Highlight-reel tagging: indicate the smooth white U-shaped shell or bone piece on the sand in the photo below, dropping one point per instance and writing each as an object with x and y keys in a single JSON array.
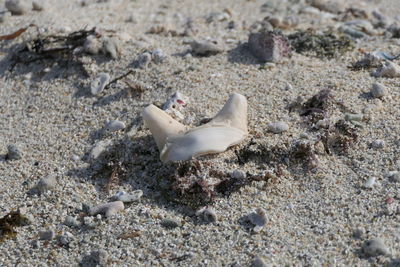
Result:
[{"x": 228, "y": 128}]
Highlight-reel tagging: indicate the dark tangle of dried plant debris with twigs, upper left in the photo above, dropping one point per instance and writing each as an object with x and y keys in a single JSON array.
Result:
[{"x": 60, "y": 48}]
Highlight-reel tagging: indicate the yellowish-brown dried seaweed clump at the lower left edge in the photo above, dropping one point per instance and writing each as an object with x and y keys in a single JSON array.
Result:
[{"x": 9, "y": 222}]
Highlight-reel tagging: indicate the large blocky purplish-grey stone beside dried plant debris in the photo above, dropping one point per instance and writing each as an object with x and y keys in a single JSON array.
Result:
[{"x": 269, "y": 46}]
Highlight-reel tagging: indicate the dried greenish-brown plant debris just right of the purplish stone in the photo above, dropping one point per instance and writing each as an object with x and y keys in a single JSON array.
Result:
[{"x": 325, "y": 45}]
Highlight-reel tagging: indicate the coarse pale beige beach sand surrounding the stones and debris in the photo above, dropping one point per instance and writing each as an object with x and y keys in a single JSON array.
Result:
[{"x": 312, "y": 214}]
